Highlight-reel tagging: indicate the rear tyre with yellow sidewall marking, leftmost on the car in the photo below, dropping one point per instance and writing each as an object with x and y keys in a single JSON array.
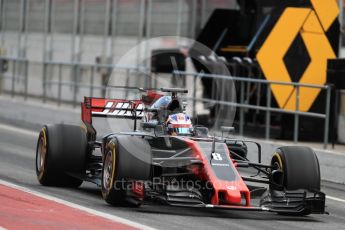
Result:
[{"x": 61, "y": 152}]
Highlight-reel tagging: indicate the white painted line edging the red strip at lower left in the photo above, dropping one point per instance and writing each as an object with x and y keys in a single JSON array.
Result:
[{"x": 79, "y": 207}]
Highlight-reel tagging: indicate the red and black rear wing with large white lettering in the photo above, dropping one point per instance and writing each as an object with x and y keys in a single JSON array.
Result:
[{"x": 117, "y": 108}]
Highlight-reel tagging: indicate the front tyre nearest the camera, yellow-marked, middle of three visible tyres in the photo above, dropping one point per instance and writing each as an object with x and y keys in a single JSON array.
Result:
[{"x": 126, "y": 165}]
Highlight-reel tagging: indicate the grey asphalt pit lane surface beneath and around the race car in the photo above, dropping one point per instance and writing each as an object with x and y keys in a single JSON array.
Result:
[{"x": 17, "y": 165}]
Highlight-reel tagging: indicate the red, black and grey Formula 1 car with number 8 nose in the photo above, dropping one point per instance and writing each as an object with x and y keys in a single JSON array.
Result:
[{"x": 169, "y": 160}]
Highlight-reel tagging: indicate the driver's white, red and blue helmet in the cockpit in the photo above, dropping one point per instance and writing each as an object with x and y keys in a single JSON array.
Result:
[{"x": 179, "y": 124}]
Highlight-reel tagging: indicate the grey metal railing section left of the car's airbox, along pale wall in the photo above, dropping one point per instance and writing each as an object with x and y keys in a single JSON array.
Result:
[{"x": 63, "y": 82}]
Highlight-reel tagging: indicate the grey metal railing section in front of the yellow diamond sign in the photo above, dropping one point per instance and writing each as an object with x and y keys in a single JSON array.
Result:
[{"x": 243, "y": 104}]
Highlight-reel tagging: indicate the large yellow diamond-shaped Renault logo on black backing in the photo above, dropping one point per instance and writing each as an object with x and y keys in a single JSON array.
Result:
[{"x": 311, "y": 25}]
